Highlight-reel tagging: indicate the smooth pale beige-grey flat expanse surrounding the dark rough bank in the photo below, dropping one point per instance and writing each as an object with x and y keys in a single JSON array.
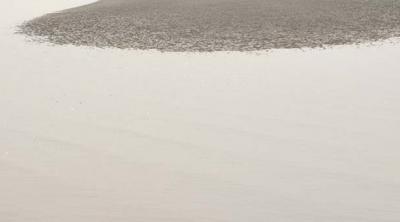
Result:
[{"x": 92, "y": 135}]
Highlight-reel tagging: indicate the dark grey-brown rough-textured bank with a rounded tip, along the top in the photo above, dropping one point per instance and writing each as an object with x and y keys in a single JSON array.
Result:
[{"x": 219, "y": 25}]
